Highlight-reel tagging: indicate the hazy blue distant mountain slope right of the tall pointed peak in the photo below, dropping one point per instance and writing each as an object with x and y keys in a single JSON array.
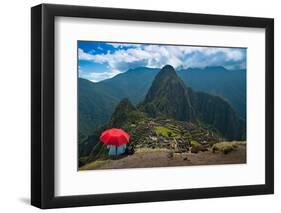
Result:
[{"x": 228, "y": 84}]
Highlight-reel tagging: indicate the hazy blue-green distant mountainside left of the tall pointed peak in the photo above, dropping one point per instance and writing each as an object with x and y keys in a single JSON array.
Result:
[{"x": 97, "y": 101}]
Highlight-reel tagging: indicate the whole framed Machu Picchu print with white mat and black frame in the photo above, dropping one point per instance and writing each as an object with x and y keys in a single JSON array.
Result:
[{"x": 139, "y": 106}]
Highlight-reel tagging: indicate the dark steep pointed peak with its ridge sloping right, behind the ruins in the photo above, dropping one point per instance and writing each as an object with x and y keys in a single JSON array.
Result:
[{"x": 168, "y": 95}]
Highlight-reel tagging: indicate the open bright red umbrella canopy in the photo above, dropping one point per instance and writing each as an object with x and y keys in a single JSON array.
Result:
[{"x": 114, "y": 137}]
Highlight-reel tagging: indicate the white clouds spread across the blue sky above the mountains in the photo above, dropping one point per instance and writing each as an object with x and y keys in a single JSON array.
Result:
[{"x": 156, "y": 56}]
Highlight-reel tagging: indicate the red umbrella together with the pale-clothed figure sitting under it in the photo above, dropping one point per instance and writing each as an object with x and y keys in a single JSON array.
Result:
[{"x": 116, "y": 140}]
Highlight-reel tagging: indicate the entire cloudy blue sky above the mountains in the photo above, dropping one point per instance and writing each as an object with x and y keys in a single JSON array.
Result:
[{"x": 98, "y": 61}]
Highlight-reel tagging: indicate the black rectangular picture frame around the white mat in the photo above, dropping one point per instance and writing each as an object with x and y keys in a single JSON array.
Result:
[{"x": 43, "y": 117}]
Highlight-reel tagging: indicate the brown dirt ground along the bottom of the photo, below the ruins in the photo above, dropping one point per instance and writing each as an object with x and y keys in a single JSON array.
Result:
[{"x": 162, "y": 159}]
